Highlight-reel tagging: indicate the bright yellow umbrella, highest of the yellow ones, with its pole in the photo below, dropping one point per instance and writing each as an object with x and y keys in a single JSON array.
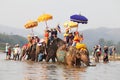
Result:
[{"x": 44, "y": 17}]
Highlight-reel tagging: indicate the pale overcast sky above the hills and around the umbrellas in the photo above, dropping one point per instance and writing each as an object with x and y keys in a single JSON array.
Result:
[{"x": 100, "y": 13}]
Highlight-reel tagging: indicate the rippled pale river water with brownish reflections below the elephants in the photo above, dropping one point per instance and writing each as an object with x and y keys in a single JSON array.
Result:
[{"x": 26, "y": 70}]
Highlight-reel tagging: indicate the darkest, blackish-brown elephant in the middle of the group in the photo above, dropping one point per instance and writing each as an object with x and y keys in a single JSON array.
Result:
[{"x": 52, "y": 49}]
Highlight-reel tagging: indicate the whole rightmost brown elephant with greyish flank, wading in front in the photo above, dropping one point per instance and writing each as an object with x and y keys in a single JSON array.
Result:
[{"x": 73, "y": 57}]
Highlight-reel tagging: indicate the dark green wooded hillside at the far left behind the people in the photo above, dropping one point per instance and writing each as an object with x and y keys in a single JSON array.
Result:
[{"x": 11, "y": 39}]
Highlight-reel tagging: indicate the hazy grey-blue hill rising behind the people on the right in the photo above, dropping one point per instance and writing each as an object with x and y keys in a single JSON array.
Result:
[{"x": 91, "y": 36}]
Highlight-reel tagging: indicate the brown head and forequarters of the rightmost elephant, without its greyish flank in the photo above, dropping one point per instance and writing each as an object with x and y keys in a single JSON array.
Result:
[{"x": 74, "y": 56}]
